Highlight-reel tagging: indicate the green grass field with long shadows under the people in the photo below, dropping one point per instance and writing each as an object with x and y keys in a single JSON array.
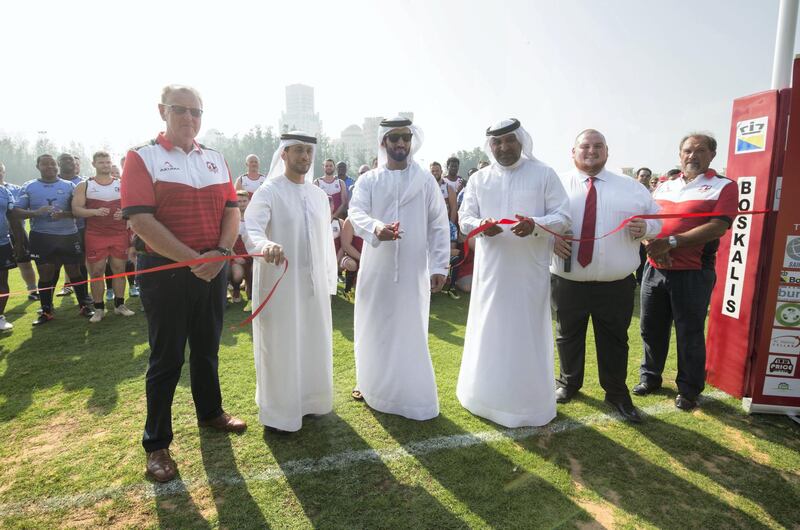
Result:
[{"x": 72, "y": 411}]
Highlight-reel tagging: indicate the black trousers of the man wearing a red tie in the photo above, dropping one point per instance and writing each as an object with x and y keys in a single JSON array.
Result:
[{"x": 610, "y": 305}]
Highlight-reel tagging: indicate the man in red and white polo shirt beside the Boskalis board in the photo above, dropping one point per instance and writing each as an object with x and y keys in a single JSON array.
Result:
[{"x": 679, "y": 275}]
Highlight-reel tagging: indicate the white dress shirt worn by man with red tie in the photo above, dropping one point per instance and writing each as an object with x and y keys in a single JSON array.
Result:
[{"x": 618, "y": 198}]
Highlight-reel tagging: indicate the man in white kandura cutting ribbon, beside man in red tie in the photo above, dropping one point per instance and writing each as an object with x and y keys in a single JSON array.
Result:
[{"x": 507, "y": 367}]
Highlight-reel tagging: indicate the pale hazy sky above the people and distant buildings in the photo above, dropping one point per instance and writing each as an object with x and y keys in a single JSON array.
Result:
[{"x": 643, "y": 72}]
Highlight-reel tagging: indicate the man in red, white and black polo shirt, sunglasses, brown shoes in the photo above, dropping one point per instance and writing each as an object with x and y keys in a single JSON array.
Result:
[{"x": 181, "y": 203}]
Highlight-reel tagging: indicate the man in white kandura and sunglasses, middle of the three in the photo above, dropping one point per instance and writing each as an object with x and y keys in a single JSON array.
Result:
[{"x": 398, "y": 210}]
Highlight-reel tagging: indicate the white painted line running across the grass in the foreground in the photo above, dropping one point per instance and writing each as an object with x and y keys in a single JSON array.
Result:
[{"x": 147, "y": 490}]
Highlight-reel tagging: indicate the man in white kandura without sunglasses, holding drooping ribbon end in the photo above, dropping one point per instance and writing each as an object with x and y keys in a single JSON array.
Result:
[{"x": 290, "y": 218}]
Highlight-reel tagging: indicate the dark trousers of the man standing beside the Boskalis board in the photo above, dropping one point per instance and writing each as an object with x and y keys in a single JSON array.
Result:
[{"x": 683, "y": 297}]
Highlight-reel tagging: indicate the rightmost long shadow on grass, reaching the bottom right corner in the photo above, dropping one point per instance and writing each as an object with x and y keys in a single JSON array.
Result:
[{"x": 740, "y": 474}]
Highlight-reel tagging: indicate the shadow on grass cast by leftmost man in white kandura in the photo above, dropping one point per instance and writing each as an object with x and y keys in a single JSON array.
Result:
[{"x": 342, "y": 494}]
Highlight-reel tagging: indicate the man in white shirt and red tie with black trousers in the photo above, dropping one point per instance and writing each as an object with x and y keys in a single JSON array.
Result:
[{"x": 597, "y": 281}]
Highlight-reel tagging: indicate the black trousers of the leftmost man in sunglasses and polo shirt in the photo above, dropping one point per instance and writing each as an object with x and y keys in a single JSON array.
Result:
[{"x": 180, "y": 307}]
